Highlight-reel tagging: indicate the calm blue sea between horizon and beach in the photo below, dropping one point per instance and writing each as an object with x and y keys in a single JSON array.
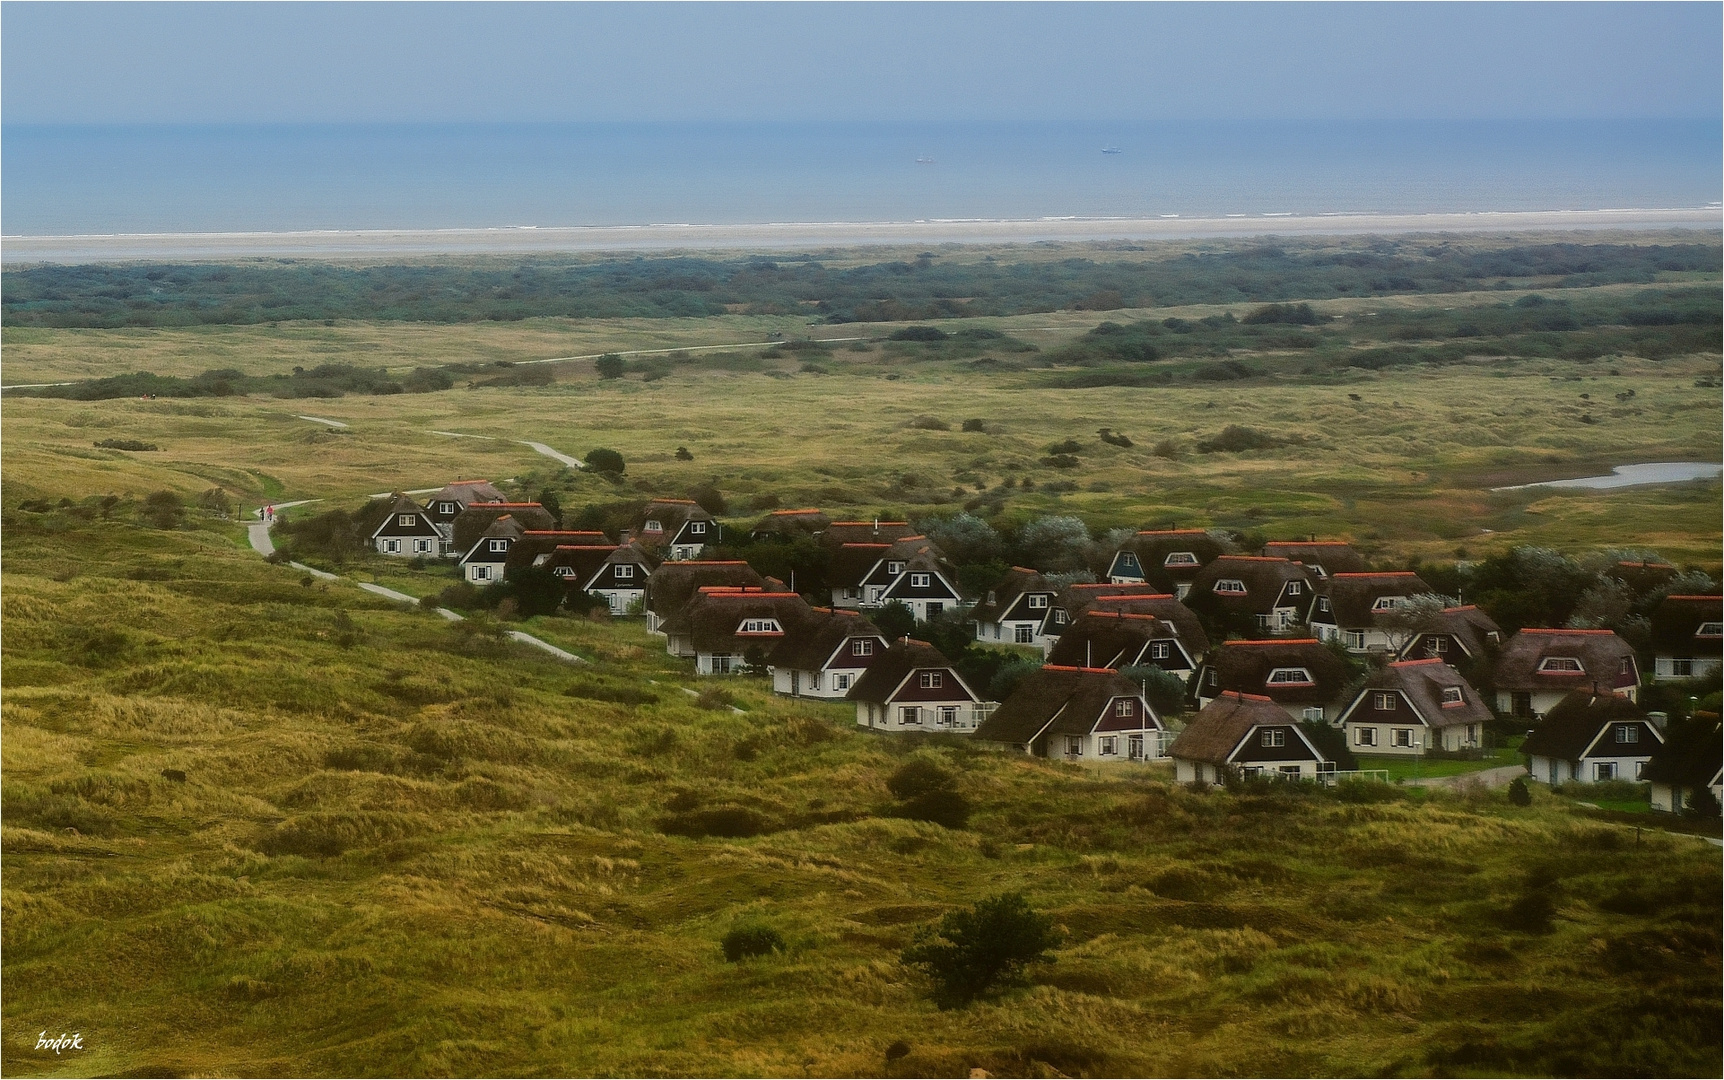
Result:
[{"x": 101, "y": 180}]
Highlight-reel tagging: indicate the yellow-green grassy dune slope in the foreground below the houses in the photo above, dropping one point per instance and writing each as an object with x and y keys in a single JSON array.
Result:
[{"x": 396, "y": 855}]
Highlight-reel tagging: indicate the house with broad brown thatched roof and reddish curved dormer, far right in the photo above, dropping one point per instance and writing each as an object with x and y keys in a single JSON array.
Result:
[{"x": 1539, "y": 669}]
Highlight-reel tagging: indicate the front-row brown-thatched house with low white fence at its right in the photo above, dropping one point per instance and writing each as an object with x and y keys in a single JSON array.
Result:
[{"x": 1247, "y": 734}]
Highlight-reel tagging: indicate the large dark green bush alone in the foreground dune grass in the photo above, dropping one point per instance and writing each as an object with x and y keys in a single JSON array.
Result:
[{"x": 987, "y": 948}]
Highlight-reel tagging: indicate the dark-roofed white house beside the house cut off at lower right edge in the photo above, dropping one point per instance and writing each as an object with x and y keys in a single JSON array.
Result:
[{"x": 1589, "y": 738}]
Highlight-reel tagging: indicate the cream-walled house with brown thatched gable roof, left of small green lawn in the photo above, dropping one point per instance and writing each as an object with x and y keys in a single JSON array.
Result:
[{"x": 1416, "y": 706}]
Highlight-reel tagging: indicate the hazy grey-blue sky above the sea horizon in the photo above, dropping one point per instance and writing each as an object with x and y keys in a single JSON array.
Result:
[{"x": 316, "y": 63}]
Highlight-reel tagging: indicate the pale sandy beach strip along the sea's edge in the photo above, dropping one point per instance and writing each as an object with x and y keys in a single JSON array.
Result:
[{"x": 363, "y": 244}]
